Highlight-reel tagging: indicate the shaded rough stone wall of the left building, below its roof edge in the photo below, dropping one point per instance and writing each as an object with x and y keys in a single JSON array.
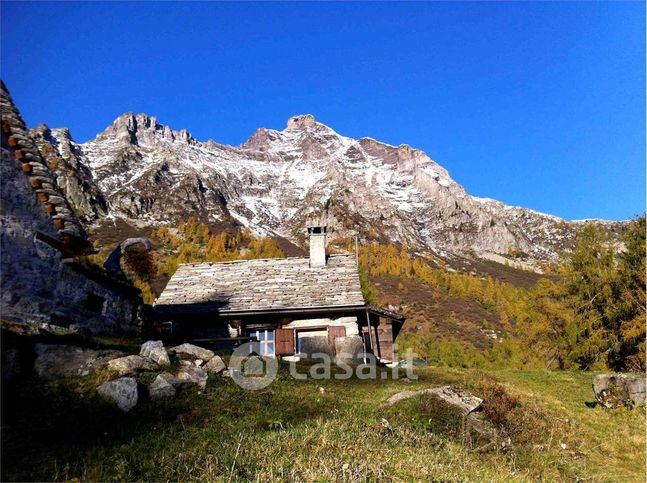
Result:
[{"x": 36, "y": 287}]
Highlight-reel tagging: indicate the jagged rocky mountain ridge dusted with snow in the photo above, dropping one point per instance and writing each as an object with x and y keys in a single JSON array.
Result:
[{"x": 277, "y": 181}]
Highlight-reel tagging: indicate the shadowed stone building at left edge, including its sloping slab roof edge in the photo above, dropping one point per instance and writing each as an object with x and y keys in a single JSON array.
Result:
[{"x": 36, "y": 287}]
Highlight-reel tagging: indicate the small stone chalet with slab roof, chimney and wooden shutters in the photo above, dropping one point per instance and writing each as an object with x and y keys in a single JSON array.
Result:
[{"x": 293, "y": 306}]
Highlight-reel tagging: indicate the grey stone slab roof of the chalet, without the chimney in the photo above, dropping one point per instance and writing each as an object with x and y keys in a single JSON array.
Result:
[{"x": 259, "y": 285}]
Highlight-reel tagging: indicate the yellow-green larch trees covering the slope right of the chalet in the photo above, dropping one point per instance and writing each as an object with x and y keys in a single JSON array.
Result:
[{"x": 591, "y": 314}]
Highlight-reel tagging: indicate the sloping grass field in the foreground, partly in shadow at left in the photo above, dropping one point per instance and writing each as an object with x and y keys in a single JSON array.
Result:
[{"x": 316, "y": 431}]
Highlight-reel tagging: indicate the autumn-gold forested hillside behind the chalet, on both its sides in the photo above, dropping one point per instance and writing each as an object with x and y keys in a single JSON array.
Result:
[{"x": 589, "y": 313}]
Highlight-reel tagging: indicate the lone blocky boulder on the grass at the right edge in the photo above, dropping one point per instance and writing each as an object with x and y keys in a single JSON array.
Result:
[{"x": 619, "y": 389}]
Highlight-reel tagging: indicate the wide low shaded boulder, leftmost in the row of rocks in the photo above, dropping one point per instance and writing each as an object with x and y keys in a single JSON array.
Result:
[{"x": 53, "y": 361}]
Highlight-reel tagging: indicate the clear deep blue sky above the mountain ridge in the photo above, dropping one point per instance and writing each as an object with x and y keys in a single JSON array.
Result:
[{"x": 540, "y": 105}]
